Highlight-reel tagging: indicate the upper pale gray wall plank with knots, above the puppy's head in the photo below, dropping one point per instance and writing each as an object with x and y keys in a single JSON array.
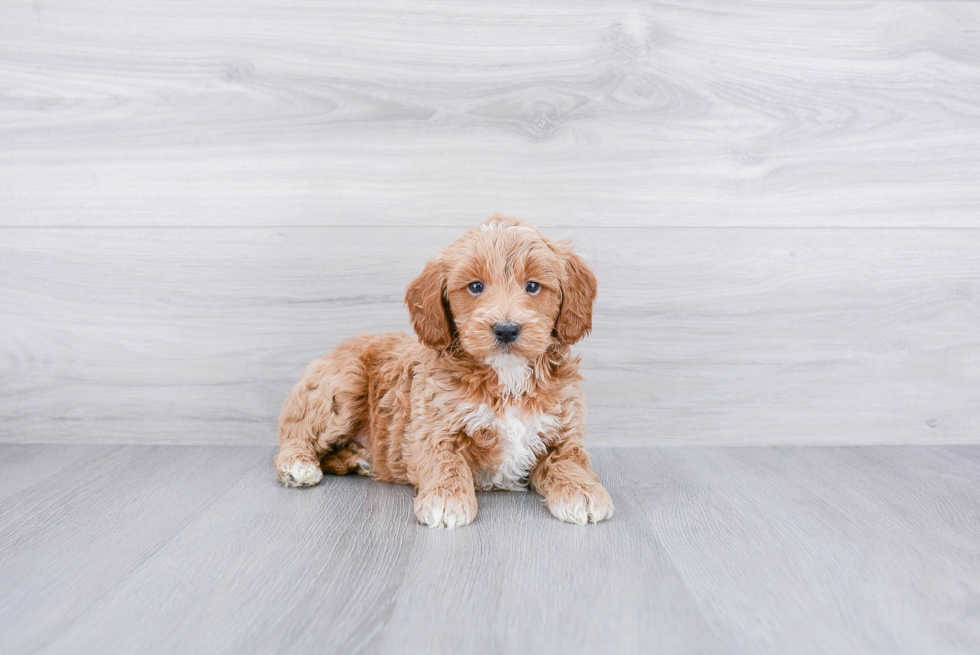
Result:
[{"x": 773, "y": 113}]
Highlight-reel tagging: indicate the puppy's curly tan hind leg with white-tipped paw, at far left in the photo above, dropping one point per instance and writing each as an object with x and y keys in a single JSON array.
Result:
[{"x": 321, "y": 415}]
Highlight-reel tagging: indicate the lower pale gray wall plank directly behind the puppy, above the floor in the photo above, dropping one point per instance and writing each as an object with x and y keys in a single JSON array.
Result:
[{"x": 701, "y": 335}]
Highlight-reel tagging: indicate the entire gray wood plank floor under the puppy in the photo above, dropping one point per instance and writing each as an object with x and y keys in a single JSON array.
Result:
[{"x": 172, "y": 549}]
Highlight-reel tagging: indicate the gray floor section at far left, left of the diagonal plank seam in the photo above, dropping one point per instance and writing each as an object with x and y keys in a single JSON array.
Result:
[{"x": 92, "y": 516}]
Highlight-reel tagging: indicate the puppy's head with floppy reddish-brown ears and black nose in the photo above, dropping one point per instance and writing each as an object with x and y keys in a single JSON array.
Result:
[{"x": 503, "y": 289}]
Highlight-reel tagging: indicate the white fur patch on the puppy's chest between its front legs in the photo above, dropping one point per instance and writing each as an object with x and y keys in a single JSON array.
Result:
[{"x": 520, "y": 441}]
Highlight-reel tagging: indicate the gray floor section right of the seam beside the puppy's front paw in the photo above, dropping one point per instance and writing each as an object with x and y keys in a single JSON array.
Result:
[{"x": 822, "y": 550}]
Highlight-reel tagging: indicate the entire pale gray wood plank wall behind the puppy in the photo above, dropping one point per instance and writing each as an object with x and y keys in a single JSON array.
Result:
[{"x": 781, "y": 201}]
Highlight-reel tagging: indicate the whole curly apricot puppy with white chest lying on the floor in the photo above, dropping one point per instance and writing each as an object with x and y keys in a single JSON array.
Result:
[{"x": 487, "y": 397}]
